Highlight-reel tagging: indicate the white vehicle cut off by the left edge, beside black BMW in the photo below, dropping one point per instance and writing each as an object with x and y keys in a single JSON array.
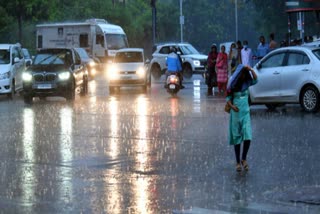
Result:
[{"x": 12, "y": 64}]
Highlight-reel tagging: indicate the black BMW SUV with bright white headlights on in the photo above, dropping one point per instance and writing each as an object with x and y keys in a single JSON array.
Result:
[{"x": 55, "y": 72}]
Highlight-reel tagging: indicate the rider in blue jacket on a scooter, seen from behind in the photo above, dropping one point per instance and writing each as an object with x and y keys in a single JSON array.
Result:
[{"x": 174, "y": 65}]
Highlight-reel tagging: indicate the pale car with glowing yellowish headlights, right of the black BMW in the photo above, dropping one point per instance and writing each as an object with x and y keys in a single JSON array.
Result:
[{"x": 129, "y": 68}]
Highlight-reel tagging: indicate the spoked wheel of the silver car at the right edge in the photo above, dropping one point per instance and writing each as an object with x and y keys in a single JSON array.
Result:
[{"x": 309, "y": 100}]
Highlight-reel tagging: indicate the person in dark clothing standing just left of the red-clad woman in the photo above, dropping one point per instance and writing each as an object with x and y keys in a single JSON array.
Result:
[{"x": 211, "y": 76}]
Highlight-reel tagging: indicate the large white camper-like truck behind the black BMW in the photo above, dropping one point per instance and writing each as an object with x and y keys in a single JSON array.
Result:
[{"x": 98, "y": 37}]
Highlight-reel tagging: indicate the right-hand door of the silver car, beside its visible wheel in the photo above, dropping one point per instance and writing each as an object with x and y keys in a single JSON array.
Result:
[{"x": 293, "y": 74}]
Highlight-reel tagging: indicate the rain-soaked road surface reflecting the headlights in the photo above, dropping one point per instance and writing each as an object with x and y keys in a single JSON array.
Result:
[{"x": 149, "y": 153}]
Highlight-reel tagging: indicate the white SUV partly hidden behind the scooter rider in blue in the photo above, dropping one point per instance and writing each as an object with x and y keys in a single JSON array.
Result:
[{"x": 192, "y": 61}]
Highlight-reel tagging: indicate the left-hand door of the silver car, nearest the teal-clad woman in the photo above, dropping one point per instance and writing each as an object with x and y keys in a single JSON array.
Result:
[{"x": 268, "y": 72}]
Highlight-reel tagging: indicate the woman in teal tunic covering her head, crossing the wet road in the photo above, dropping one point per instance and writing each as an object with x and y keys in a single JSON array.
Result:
[{"x": 239, "y": 122}]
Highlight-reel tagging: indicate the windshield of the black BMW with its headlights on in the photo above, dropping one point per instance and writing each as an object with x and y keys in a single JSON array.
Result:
[{"x": 59, "y": 57}]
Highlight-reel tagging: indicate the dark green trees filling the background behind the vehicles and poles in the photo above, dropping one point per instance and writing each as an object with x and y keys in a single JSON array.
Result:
[{"x": 206, "y": 21}]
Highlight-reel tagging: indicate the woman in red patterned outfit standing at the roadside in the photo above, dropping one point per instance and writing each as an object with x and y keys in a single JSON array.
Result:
[{"x": 222, "y": 70}]
